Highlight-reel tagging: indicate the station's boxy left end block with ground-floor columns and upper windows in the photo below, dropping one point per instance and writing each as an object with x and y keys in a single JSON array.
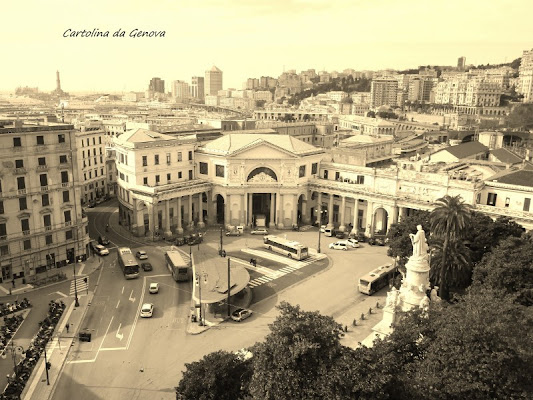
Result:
[{"x": 157, "y": 180}]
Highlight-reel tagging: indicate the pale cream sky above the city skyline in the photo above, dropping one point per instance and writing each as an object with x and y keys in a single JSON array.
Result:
[{"x": 247, "y": 38}]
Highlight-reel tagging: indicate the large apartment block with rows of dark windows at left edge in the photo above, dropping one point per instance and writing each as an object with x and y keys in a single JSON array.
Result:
[{"x": 42, "y": 226}]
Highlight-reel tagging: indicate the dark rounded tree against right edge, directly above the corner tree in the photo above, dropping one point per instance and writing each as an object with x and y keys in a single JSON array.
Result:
[{"x": 508, "y": 270}]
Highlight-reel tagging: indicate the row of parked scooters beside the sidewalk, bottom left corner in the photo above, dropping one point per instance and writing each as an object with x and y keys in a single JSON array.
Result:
[{"x": 31, "y": 356}]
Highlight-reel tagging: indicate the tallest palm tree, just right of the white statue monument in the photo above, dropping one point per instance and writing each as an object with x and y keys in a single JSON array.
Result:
[{"x": 449, "y": 219}]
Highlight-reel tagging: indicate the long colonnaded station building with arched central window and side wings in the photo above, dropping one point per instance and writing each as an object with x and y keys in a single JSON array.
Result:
[{"x": 277, "y": 180}]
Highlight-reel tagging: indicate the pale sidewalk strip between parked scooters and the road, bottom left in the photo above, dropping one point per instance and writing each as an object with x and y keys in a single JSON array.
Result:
[{"x": 57, "y": 350}]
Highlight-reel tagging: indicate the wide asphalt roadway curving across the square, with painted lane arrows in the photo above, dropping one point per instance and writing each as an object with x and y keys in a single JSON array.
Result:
[{"x": 132, "y": 358}]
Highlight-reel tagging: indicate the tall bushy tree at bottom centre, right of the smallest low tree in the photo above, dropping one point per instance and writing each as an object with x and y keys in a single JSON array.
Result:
[{"x": 295, "y": 356}]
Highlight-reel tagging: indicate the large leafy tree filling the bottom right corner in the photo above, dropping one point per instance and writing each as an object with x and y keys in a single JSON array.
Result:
[{"x": 479, "y": 348}]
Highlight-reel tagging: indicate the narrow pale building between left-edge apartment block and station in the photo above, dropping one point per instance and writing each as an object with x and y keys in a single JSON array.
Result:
[{"x": 91, "y": 143}]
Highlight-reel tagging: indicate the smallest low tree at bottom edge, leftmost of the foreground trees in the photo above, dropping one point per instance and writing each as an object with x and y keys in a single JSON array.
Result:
[{"x": 218, "y": 376}]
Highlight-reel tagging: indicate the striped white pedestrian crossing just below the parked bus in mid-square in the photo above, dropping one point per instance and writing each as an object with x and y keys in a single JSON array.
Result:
[{"x": 271, "y": 274}]
